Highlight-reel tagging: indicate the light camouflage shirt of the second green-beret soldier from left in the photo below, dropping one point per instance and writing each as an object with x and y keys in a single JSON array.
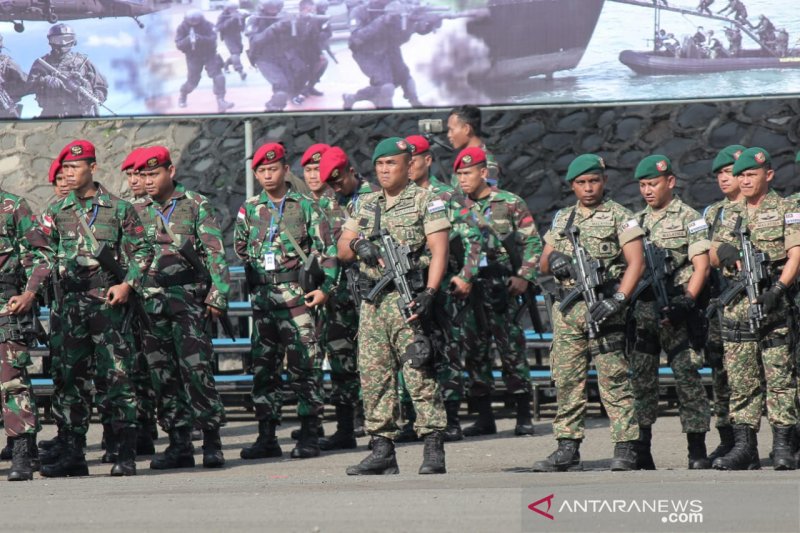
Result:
[{"x": 604, "y": 230}]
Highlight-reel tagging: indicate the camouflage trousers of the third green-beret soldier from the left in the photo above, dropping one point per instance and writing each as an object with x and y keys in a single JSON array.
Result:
[{"x": 652, "y": 337}]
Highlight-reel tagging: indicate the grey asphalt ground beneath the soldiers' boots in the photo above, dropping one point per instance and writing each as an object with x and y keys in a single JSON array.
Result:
[{"x": 487, "y": 488}]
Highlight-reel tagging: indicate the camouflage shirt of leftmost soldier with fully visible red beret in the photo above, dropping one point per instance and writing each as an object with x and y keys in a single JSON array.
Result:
[{"x": 113, "y": 223}]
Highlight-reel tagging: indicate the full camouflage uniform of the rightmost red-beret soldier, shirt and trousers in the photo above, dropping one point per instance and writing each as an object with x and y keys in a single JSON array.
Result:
[{"x": 506, "y": 213}]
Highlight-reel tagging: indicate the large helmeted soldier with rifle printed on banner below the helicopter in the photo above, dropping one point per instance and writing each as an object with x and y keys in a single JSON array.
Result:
[{"x": 66, "y": 83}]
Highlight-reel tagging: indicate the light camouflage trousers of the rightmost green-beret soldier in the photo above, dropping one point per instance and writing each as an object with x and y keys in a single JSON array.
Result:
[{"x": 742, "y": 364}]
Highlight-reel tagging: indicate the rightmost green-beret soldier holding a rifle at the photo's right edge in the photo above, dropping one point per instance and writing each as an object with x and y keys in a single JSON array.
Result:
[{"x": 758, "y": 330}]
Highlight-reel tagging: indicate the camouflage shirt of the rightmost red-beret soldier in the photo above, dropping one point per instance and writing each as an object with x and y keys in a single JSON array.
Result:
[{"x": 507, "y": 213}]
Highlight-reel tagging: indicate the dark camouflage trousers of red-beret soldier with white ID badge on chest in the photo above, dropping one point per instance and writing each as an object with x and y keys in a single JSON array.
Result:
[{"x": 288, "y": 332}]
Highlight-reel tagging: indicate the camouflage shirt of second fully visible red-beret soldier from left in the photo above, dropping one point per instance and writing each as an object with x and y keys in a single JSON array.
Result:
[{"x": 190, "y": 217}]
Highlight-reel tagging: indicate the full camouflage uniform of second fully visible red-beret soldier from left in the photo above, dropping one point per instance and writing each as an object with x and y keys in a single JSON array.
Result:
[{"x": 178, "y": 347}]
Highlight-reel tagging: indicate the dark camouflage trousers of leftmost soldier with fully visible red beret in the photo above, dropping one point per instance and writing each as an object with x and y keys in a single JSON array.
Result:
[{"x": 94, "y": 348}]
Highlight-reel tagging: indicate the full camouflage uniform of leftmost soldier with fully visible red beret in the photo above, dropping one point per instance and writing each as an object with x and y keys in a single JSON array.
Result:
[{"x": 94, "y": 345}]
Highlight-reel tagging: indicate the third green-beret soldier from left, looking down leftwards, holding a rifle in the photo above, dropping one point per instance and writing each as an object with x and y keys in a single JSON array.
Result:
[{"x": 680, "y": 231}]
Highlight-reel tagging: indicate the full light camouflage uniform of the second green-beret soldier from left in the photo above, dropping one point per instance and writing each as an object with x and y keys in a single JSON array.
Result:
[{"x": 604, "y": 230}]
